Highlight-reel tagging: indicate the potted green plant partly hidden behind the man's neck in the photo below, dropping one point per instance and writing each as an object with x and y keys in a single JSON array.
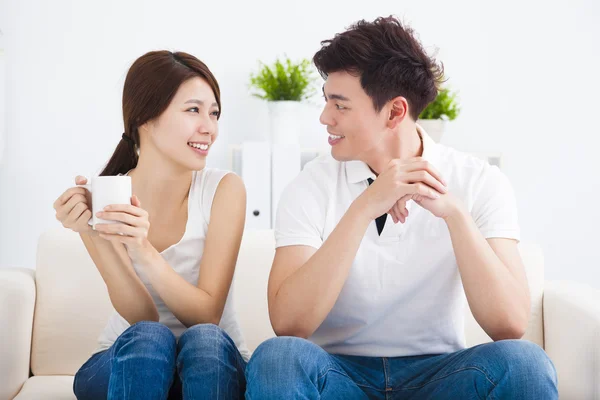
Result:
[{"x": 434, "y": 117}]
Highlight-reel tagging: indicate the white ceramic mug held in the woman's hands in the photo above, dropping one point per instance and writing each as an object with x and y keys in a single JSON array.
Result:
[{"x": 107, "y": 190}]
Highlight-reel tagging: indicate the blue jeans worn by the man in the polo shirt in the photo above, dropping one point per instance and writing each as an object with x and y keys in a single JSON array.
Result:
[{"x": 294, "y": 368}]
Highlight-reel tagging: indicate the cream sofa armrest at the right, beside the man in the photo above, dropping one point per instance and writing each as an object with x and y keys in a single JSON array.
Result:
[{"x": 572, "y": 337}]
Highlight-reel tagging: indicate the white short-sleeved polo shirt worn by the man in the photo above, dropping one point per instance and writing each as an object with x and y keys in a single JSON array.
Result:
[{"x": 404, "y": 295}]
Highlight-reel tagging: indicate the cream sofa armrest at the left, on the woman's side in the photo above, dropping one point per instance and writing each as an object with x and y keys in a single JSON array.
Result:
[{"x": 17, "y": 302}]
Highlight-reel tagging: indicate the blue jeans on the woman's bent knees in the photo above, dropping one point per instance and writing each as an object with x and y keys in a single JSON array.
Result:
[{"x": 147, "y": 362}]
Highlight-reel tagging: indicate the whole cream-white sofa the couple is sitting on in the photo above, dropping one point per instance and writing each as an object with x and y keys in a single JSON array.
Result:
[{"x": 50, "y": 318}]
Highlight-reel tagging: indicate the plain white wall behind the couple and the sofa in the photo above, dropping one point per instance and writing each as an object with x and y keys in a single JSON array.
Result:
[{"x": 526, "y": 70}]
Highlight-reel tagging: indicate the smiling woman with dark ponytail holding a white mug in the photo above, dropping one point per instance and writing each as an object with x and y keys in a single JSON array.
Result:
[{"x": 168, "y": 266}]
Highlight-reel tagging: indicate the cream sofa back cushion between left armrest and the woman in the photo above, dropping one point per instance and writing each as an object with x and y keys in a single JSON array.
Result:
[{"x": 72, "y": 305}]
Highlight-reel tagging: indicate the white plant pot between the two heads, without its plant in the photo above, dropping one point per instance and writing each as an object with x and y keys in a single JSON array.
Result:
[{"x": 285, "y": 123}]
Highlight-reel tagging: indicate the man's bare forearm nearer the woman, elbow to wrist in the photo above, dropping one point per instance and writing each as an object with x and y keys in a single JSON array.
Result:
[{"x": 307, "y": 296}]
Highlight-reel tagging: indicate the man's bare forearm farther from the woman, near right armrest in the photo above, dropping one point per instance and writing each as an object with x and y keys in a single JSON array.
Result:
[{"x": 498, "y": 301}]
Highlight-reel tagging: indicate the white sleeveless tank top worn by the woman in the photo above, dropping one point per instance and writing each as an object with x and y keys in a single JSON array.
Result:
[{"x": 184, "y": 257}]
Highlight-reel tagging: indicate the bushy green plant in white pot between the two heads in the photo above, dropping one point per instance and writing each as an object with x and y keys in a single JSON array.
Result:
[{"x": 284, "y": 84}]
